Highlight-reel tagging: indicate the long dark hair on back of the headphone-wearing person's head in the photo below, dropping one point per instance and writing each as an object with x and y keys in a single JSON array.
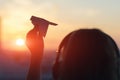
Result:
[{"x": 89, "y": 54}]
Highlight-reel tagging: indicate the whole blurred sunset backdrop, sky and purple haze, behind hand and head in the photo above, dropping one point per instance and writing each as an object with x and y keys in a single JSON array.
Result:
[{"x": 68, "y": 14}]
